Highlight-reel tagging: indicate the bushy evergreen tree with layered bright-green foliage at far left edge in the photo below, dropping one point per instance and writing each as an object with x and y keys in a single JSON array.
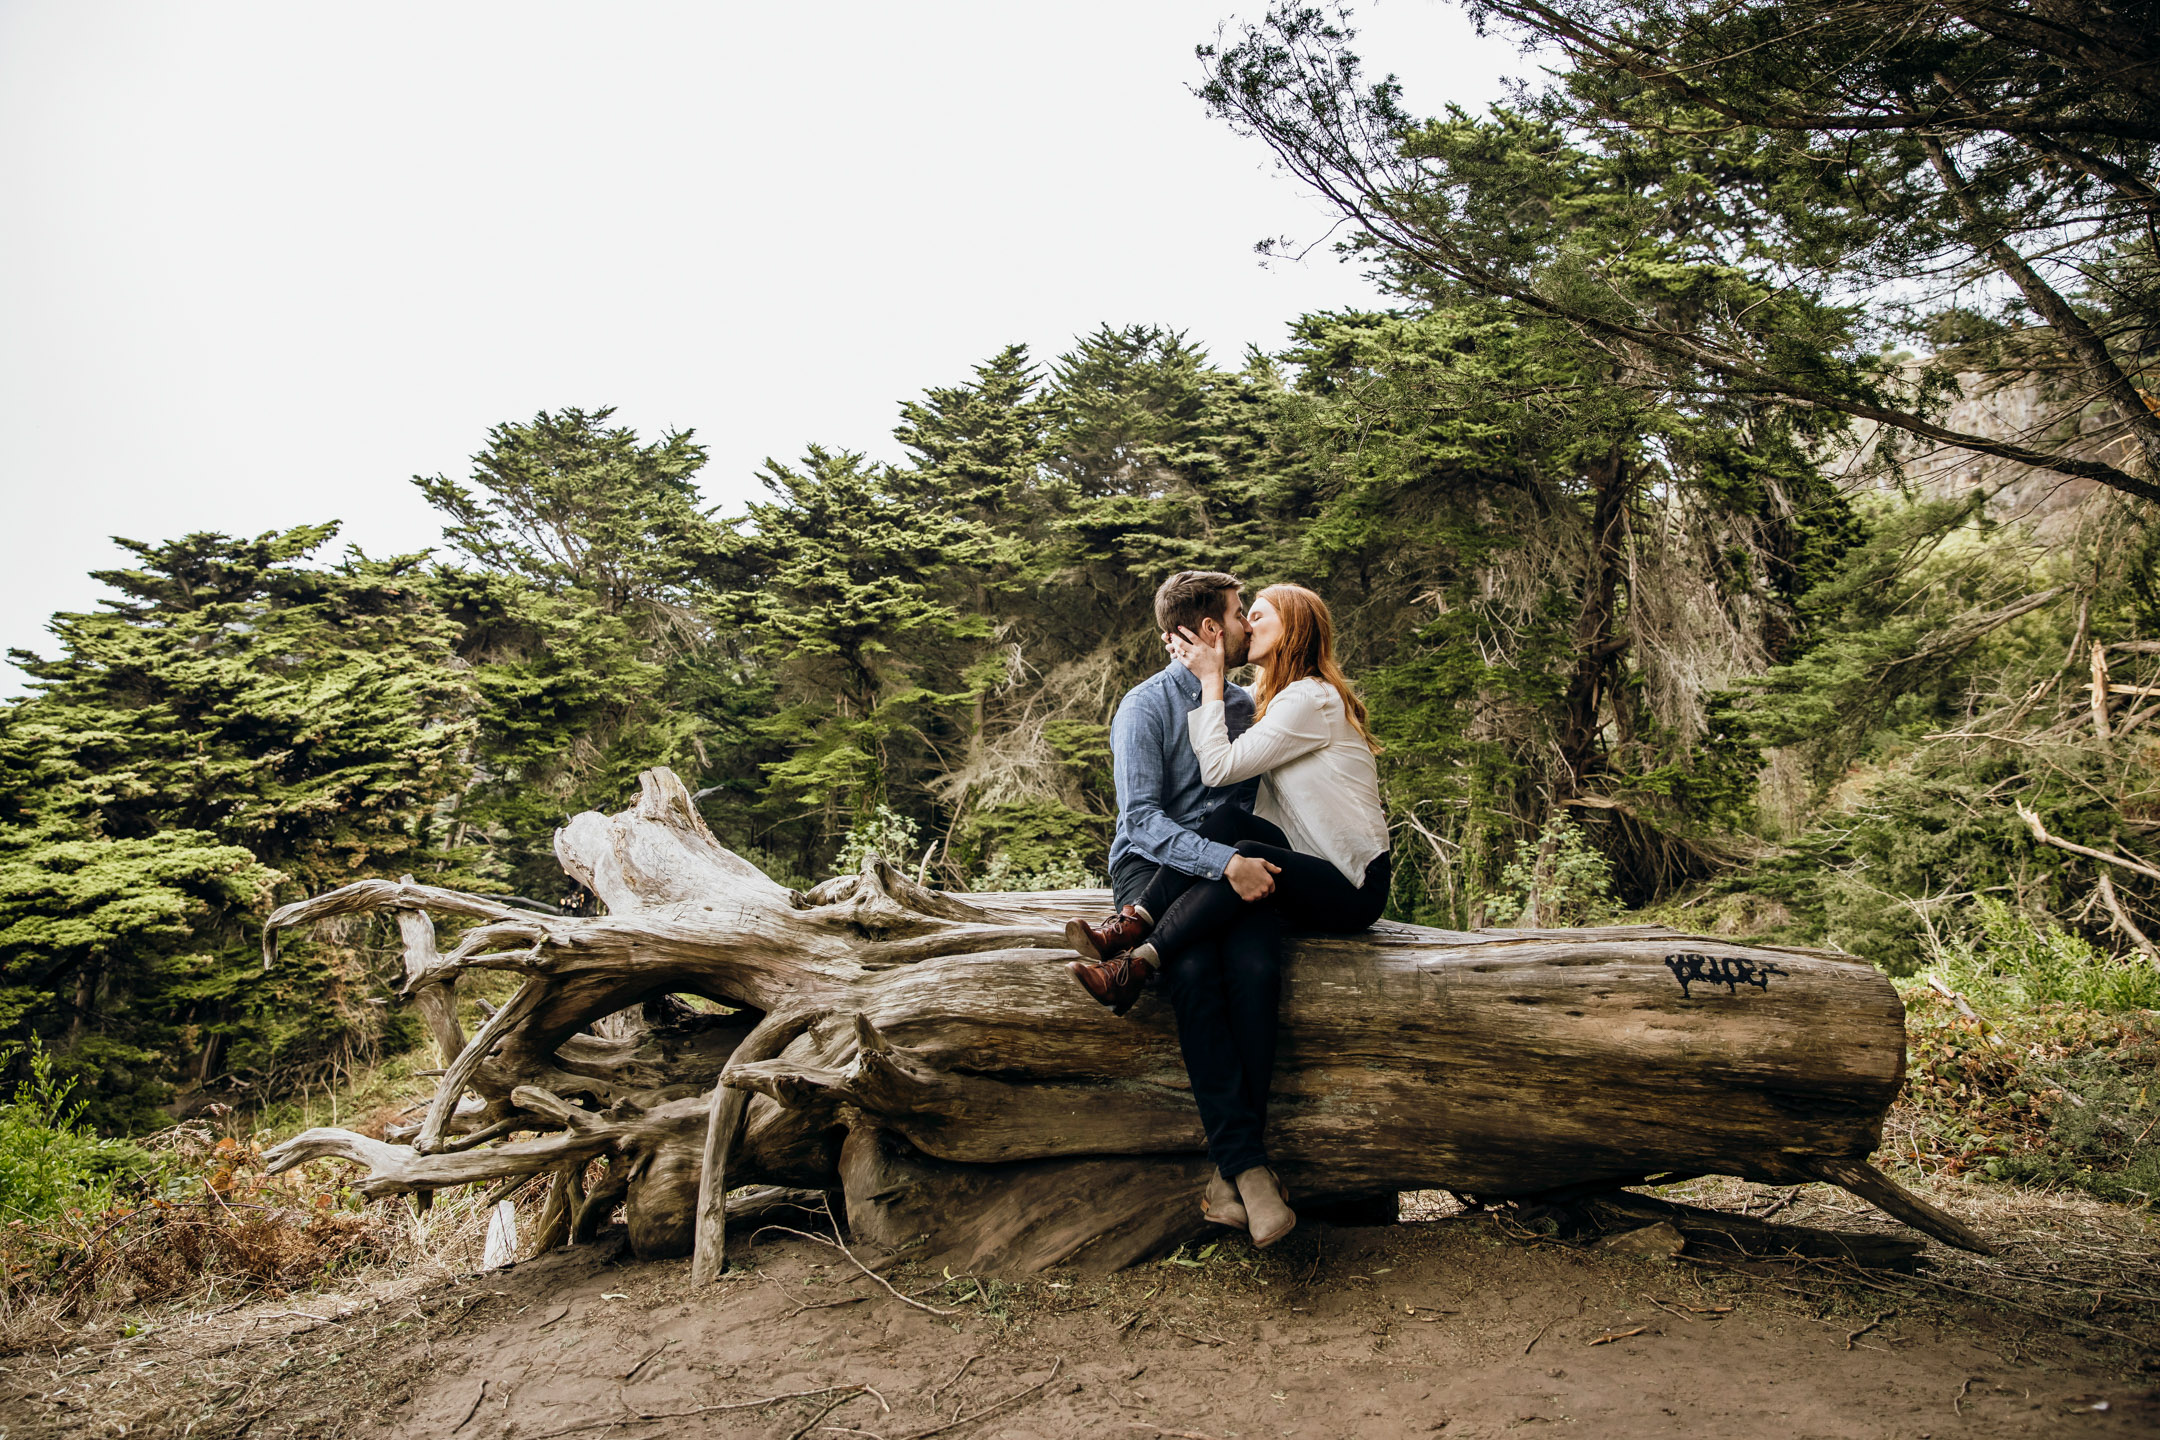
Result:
[{"x": 237, "y": 726}]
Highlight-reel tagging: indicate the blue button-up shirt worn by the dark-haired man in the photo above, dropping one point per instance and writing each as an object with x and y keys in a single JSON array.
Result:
[{"x": 1161, "y": 793}]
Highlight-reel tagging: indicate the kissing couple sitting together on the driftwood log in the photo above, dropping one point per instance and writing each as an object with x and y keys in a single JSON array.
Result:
[{"x": 1241, "y": 815}]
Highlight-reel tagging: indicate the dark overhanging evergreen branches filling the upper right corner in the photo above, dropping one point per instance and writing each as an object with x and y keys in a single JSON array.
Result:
[{"x": 1692, "y": 195}]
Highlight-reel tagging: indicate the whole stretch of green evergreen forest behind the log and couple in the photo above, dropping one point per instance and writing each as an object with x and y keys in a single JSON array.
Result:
[{"x": 1738, "y": 502}]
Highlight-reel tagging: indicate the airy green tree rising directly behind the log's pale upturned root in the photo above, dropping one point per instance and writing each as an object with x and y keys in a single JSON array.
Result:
[{"x": 584, "y": 616}]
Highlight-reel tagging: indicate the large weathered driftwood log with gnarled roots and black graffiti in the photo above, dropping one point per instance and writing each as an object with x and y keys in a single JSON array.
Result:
[{"x": 926, "y": 1059}]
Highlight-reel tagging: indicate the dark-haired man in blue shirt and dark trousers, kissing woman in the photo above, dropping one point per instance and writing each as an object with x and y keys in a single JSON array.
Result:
[{"x": 1228, "y": 992}]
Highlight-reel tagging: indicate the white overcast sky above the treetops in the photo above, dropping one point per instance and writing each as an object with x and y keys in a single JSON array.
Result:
[{"x": 265, "y": 262}]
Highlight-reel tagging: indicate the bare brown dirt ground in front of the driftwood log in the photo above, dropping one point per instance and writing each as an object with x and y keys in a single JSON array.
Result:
[{"x": 1444, "y": 1327}]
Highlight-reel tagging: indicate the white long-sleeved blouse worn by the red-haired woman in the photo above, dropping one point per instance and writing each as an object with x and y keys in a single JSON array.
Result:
[{"x": 1319, "y": 776}]
